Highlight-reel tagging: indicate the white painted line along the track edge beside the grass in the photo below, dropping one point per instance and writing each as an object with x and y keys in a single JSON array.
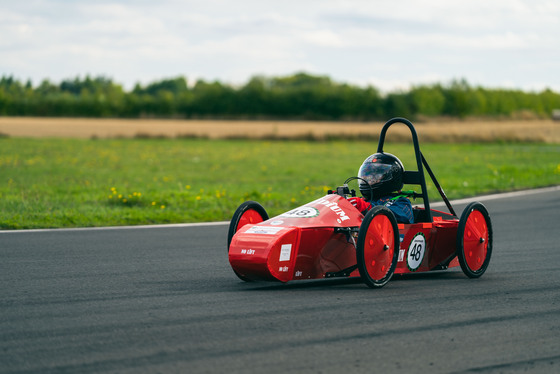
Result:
[{"x": 221, "y": 223}]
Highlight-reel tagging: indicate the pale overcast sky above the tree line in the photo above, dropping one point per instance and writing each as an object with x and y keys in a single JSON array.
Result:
[{"x": 388, "y": 44}]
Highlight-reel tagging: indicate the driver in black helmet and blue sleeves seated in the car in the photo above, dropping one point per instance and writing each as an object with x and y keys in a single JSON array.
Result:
[{"x": 380, "y": 176}]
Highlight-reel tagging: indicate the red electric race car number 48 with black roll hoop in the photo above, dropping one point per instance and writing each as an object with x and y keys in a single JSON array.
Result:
[{"x": 329, "y": 238}]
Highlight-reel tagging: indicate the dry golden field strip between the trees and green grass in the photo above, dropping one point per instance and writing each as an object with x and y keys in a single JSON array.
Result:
[{"x": 547, "y": 131}]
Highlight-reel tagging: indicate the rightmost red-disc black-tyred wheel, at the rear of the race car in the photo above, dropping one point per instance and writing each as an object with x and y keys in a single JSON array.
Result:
[{"x": 474, "y": 240}]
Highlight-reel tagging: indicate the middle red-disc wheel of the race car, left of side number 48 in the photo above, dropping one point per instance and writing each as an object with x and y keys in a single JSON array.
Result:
[{"x": 376, "y": 250}]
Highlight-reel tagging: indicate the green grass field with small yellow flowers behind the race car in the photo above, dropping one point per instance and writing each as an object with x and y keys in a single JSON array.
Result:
[{"x": 49, "y": 183}]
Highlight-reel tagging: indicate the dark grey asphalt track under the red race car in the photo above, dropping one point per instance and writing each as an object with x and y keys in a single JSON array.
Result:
[{"x": 164, "y": 299}]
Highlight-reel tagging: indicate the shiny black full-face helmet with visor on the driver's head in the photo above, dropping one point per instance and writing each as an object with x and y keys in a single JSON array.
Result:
[{"x": 380, "y": 174}]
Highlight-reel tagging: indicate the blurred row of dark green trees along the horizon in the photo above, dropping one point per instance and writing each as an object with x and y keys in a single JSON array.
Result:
[{"x": 298, "y": 96}]
